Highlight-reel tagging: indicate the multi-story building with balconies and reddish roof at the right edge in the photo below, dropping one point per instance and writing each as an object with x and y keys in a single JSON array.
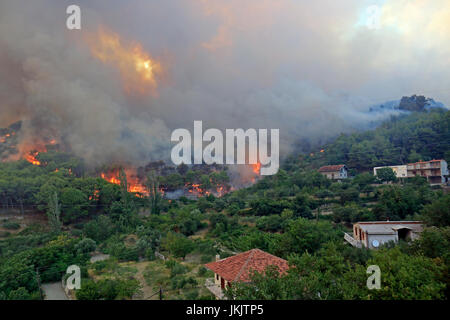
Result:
[{"x": 436, "y": 171}]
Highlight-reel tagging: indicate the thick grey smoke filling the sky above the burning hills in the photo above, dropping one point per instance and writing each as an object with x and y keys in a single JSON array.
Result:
[{"x": 307, "y": 68}]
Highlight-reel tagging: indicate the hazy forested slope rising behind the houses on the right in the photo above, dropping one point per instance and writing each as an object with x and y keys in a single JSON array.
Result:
[{"x": 400, "y": 140}]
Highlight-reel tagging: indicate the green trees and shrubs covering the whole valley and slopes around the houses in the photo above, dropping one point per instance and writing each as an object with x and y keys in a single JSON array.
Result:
[{"x": 297, "y": 214}]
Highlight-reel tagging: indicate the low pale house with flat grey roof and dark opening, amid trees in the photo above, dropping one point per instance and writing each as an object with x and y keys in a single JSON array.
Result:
[{"x": 372, "y": 234}]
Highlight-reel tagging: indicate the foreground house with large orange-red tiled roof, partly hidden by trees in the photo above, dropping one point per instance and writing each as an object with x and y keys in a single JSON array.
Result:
[{"x": 240, "y": 267}]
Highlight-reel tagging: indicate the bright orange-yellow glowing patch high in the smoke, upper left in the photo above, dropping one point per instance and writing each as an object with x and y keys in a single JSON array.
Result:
[{"x": 138, "y": 69}]
